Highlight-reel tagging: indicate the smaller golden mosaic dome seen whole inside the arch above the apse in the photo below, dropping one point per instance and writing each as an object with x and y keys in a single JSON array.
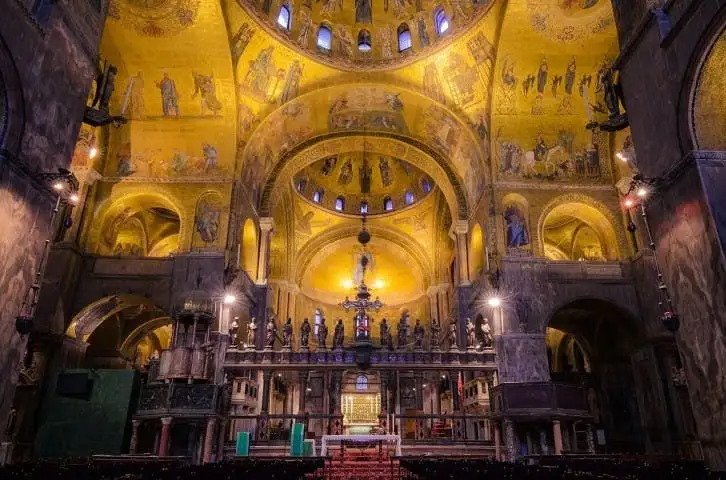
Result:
[{"x": 352, "y": 182}]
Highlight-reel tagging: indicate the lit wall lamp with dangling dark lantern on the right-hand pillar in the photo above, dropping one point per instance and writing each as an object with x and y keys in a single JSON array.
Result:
[{"x": 640, "y": 190}]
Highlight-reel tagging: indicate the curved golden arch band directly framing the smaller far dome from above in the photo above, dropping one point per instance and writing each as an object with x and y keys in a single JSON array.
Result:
[{"x": 406, "y": 148}]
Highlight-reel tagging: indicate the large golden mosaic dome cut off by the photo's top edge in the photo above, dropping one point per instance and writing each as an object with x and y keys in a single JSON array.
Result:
[{"x": 366, "y": 33}]
